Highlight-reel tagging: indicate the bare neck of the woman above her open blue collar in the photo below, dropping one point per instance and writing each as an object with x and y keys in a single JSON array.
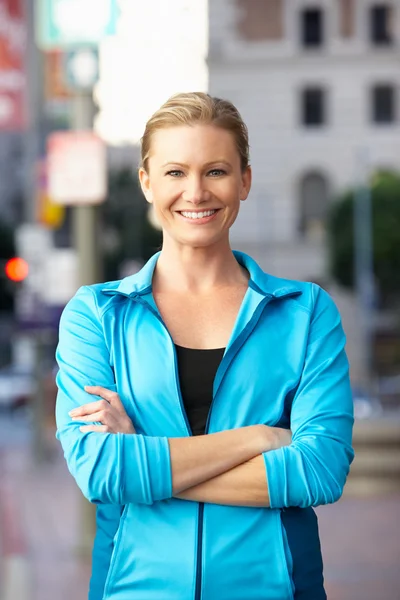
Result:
[{"x": 198, "y": 270}]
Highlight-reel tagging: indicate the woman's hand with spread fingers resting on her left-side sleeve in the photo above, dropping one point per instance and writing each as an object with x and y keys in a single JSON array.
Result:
[{"x": 109, "y": 411}]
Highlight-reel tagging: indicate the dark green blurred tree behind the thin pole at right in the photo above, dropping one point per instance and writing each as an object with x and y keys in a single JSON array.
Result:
[{"x": 385, "y": 199}]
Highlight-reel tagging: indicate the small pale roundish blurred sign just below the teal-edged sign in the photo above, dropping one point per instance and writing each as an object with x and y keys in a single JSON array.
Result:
[{"x": 81, "y": 68}]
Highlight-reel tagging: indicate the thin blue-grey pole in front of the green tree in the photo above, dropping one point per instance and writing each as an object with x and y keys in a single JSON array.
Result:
[{"x": 363, "y": 266}]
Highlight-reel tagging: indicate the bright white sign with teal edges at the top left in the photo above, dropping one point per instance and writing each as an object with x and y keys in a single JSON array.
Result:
[{"x": 66, "y": 24}]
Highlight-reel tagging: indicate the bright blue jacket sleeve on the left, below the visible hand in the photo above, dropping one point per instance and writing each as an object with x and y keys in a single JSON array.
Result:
[{"x": 109, "y": 468}]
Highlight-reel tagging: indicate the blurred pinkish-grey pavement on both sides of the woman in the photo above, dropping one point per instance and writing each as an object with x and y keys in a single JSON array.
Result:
[{"x": 39, "y": 530}]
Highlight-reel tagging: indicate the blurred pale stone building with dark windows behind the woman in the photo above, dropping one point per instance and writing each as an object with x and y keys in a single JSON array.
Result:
[{"x": 317, "y": 84}]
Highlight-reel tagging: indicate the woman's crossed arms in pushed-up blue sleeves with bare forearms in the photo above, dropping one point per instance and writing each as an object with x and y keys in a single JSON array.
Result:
[{"x": 250, "y": 466}]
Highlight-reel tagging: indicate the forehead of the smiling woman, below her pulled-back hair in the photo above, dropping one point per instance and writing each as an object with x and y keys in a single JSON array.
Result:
[{"x": 193, "y": 143}]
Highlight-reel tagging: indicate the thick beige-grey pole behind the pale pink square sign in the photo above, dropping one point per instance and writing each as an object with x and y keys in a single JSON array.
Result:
[{"x": 84, "y": 222}]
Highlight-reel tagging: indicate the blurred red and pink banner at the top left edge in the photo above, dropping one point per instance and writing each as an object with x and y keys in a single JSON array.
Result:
[{"x": 12, "y": 65}]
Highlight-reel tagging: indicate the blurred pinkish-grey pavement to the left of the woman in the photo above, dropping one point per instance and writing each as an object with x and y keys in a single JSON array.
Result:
[{"x": 39, "y": 530}]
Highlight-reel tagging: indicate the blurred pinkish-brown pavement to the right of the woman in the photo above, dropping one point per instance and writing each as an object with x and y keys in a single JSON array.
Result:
[{"x": 360, "y": 539}]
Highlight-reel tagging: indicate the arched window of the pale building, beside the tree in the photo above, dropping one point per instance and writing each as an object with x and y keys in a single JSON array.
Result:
[{"x": 314, "y": 205}]
